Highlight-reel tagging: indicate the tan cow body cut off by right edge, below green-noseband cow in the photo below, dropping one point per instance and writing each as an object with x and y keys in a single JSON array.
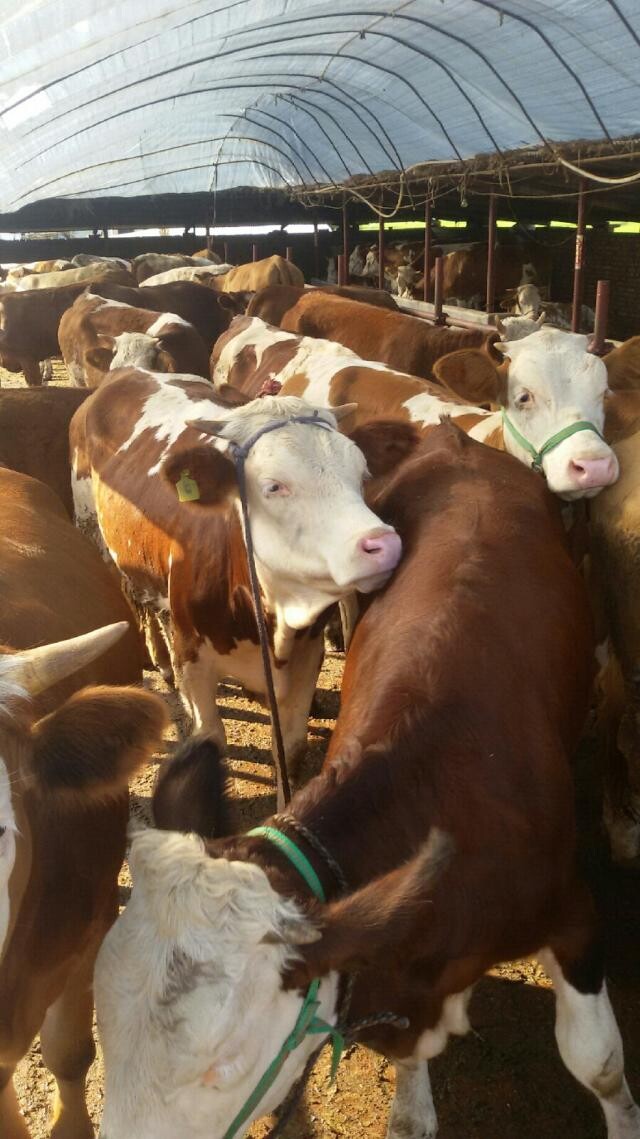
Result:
[{"x": 616, "y": 573}]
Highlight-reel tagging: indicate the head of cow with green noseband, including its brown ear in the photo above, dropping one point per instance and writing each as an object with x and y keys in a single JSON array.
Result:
[{"x": 548, "y": 383}]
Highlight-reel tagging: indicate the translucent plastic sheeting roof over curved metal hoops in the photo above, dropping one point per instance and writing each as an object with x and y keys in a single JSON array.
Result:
[{"x": 147, "y": 97}]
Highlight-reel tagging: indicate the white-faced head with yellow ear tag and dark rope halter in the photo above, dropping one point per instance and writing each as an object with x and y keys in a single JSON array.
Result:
[{"x": 315, "y": 539}]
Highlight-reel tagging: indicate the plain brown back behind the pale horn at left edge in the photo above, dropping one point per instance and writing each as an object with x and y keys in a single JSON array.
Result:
[{"x": 55, "y": 585}]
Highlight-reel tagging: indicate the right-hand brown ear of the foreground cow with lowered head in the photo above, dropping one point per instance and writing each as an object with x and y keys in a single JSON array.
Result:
[{"x": 365, "y": 925}]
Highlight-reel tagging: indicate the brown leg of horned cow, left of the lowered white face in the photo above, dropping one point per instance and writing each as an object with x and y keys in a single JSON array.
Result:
[{"x": 69, "y": 1051}]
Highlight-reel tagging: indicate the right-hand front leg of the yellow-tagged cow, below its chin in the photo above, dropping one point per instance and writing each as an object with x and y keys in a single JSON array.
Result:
[{"x": 296, "y": 706}]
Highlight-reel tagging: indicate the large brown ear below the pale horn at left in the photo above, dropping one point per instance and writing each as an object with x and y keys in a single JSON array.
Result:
[{"x": 93, "y": 745}]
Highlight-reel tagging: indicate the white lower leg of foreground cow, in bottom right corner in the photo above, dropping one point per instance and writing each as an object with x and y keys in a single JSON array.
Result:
[{"x": 587, "y": 1033}]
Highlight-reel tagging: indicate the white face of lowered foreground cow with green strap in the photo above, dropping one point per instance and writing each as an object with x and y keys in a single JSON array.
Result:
[{"x": 190, "y": 994}]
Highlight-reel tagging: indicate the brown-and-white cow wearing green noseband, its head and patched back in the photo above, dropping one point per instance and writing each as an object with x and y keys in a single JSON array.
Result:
[{"x": 549, "y": 384}]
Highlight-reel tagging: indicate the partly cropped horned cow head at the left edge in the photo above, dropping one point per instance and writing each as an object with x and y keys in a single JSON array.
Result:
[{"x": 83, "y": 753}]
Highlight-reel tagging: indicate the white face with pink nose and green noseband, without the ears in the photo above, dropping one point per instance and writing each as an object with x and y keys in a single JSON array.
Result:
[{"x": 555, "y": 382}]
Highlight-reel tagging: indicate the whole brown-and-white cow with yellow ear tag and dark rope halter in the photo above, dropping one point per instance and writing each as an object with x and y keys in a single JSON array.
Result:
[{"x": 142, "y": 443}]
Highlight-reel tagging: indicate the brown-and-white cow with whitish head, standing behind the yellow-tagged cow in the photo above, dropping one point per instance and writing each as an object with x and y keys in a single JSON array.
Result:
[{"x": 97, "y": 335}]
